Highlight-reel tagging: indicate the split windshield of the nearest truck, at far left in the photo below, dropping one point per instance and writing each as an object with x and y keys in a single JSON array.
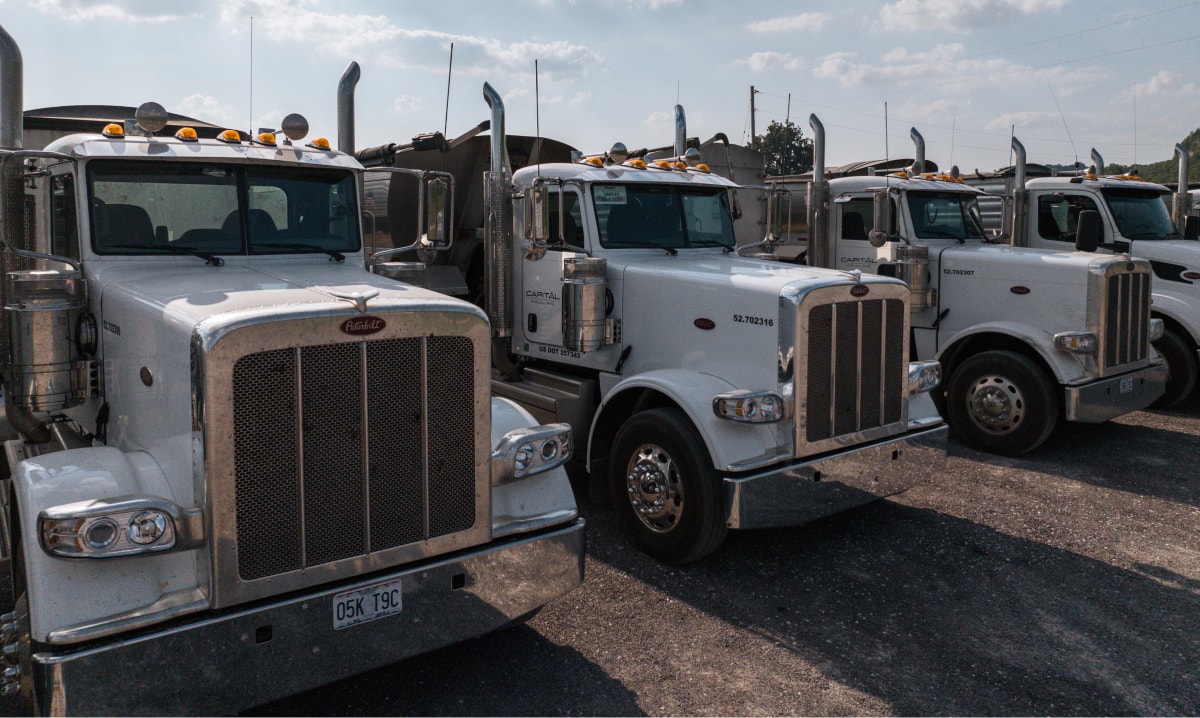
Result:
[{"x": 151, "y": 208}]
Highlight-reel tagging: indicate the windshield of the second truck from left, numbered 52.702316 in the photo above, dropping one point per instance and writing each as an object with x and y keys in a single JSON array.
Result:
[{"x": 639, "y": 216}]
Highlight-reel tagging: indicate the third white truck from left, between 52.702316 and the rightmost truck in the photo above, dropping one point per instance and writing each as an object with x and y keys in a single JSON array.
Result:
[{"x": 1025, "y": 337}]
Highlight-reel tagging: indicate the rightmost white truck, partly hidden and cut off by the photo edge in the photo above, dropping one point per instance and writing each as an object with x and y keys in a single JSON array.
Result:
[{"x": 1136, "y": 218}]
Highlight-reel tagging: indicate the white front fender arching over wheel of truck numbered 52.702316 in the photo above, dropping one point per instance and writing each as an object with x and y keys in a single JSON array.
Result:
[{"x": 729, "y": 444}]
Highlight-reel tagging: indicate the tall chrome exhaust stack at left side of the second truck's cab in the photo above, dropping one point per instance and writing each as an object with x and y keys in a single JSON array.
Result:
[{"x": 499, "y": 229}]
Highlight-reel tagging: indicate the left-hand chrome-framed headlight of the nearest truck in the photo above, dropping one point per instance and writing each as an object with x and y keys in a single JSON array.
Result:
[{"x": 124, "y": 526}]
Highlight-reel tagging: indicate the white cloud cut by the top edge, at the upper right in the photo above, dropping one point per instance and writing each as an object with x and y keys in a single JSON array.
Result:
[{"x": 961, "y": 16}]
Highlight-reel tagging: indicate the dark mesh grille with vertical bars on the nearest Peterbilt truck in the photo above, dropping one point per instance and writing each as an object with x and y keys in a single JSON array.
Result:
[{"x": 331, "y": 466}]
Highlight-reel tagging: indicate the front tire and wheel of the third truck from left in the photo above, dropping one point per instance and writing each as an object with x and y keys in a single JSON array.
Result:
[{"x": 1001, "y": 403}]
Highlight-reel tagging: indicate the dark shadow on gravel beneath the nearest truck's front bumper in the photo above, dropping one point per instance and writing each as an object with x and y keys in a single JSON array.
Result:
[{"x": 509, "y": 673}]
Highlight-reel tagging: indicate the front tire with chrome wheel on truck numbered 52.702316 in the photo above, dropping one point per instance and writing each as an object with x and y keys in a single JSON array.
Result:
[{"x": 664, "y": 489}]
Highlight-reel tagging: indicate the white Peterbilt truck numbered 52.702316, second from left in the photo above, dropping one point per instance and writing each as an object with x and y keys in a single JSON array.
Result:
[{"x": 709, "y": 392}]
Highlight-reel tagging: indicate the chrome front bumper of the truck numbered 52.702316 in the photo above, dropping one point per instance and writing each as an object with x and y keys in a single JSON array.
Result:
[{"x": 808, "y": 492}]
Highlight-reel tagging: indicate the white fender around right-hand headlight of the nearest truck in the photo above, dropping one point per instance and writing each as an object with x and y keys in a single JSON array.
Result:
[{"x": 532, "y": 502}]
